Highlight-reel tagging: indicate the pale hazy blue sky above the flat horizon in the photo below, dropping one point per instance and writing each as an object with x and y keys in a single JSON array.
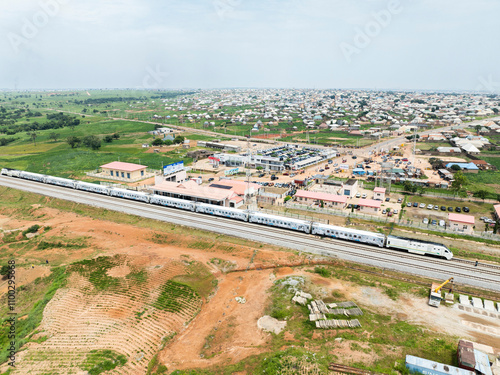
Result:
[{"x": 407, "y": 44}]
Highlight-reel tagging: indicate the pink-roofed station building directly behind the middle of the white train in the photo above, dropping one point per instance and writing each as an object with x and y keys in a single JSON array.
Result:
[{"x": 190, "y": 190}]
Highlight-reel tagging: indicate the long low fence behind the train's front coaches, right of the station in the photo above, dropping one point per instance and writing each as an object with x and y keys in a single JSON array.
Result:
[{"x": 404, "y": 223}]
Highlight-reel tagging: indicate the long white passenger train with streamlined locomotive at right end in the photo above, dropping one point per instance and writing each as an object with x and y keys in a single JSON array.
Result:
[{"x": 324, "y": 230}]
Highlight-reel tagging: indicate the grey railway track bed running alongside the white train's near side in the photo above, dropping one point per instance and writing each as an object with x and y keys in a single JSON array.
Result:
[{"x": 464, "y": 273}]
